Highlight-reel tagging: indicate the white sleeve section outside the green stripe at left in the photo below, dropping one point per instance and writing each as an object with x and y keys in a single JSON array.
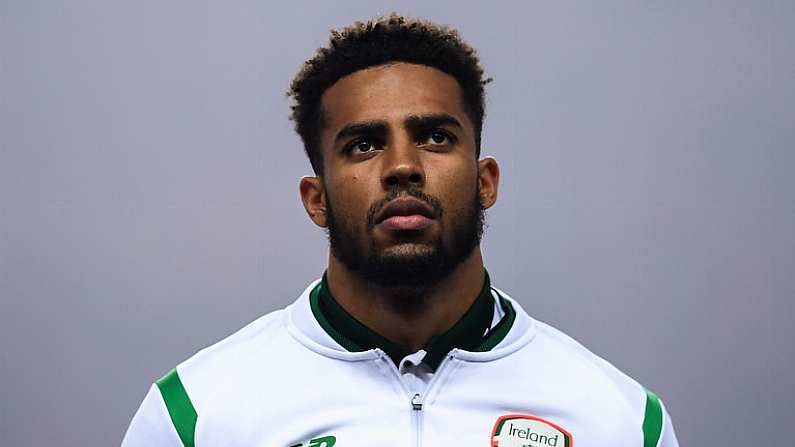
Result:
[{"x": 152, "y": 426}]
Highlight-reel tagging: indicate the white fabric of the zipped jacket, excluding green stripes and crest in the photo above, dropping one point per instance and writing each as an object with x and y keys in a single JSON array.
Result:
[{"x": 282, "y": 380}]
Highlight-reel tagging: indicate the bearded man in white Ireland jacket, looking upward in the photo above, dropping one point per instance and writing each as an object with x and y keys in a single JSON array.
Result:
[{"x": 403, "y": 341}]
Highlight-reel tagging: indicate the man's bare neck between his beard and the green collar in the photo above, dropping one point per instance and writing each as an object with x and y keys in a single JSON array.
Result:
[{"x": 408, "y": 316}]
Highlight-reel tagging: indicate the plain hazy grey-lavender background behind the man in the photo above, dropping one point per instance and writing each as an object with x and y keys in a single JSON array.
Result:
[{"x": 149, "y": 198}]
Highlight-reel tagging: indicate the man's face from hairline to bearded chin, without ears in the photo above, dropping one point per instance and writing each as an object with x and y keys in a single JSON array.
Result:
[{"x": 400, "y": 174}]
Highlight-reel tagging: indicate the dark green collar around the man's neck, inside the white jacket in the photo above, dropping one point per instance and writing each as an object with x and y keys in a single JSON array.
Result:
[{"x": 466, "y": 334}]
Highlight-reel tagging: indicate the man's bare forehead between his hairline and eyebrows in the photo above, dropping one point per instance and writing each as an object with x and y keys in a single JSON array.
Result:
[{"x": 391, "y": 93}]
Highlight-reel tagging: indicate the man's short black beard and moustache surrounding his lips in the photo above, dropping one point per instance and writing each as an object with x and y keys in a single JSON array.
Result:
[{"x": 415, "y": 271}]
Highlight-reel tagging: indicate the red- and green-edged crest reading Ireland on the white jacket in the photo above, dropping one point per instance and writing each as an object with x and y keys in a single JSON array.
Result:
[{"x": 522, "y": 430}]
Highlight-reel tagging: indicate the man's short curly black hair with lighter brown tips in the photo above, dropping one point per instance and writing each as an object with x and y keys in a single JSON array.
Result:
[{"x": 380, "y": 41}]
